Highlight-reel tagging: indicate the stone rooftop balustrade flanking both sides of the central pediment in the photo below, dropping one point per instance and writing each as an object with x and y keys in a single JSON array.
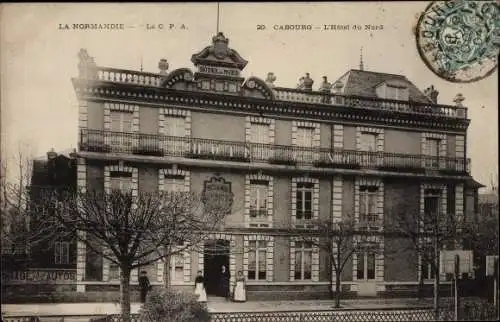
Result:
[{"x": 295, "y": 95}]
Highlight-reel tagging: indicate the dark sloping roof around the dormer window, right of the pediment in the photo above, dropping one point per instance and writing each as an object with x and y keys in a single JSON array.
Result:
[{"x": 363, "y": 83}]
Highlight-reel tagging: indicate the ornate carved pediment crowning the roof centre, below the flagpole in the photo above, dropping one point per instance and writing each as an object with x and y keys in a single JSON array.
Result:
[{"x": 219, "y": 54}]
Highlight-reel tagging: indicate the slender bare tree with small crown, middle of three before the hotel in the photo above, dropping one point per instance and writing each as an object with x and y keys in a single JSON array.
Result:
[{"x": 340, "y": 240}]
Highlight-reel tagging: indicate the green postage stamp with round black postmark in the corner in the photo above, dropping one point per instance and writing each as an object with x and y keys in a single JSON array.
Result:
[{"x": 460, "y": 40}]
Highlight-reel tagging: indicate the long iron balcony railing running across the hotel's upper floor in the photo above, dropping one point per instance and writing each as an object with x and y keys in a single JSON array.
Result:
[{"x": 198, "y": 148}]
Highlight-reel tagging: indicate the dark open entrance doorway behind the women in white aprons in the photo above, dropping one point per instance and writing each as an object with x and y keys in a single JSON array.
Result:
[{"x": 216, "y": 254}]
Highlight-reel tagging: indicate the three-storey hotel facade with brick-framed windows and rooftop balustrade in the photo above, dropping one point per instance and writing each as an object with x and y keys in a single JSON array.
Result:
[{"x": 347, "y": 149}]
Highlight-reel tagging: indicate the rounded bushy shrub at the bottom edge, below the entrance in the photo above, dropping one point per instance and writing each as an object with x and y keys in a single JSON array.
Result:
[{"x": 169, "y": 305}]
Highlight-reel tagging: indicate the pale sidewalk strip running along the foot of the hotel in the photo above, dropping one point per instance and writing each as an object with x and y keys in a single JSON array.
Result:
[{"x": 214, "y": 305}]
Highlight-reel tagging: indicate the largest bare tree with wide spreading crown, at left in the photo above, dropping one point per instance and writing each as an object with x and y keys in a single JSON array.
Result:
[{"x": 136, "y": 230}]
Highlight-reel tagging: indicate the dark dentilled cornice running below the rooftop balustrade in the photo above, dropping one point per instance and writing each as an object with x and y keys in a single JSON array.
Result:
[{"x": 102, "y": 89}]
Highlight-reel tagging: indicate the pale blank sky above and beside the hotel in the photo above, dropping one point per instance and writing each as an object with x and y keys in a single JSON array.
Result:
[{"x": 39, "y": 109}]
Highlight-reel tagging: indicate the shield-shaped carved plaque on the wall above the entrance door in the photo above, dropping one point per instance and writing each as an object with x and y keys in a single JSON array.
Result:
[{"x": 217, "y": 195}]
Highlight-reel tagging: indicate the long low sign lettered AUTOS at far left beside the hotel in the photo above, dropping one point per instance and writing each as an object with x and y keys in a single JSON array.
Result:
[{"x": 40, "y": 276}]
